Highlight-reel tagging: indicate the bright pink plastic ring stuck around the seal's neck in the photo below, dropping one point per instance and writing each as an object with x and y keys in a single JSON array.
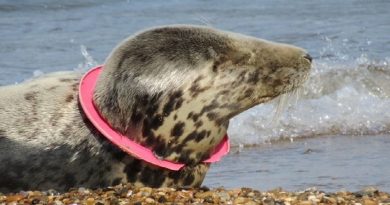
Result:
[{"x": 86, "y": 91}]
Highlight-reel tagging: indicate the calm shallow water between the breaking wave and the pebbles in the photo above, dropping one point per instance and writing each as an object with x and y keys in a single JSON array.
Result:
[{"x": 330, "y": 163}]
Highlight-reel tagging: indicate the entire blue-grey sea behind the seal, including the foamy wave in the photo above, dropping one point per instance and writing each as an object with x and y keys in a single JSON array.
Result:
[{"x": 335, "y": 134}]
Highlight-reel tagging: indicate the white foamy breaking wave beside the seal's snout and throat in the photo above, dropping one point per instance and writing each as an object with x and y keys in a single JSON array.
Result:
[{"x": 338, "y": 99}]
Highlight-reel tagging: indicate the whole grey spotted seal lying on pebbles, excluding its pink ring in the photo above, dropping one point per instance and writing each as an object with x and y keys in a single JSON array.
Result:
[{"x": 172, "y": 89}]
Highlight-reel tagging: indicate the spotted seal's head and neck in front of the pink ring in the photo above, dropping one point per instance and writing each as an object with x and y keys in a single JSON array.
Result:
[{"x": 173, "y": 89}]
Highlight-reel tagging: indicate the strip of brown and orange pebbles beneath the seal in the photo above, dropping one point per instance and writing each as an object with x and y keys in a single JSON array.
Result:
[{"x": 127, "y": 194}]
